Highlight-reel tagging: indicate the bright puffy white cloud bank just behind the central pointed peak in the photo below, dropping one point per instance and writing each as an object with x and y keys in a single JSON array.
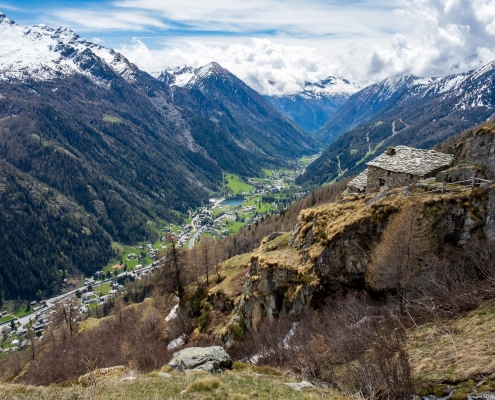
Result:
[{"x": 287, "y": 67}]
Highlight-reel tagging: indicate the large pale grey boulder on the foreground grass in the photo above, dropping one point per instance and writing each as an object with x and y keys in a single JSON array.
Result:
[{"x": 212, "y": 359}]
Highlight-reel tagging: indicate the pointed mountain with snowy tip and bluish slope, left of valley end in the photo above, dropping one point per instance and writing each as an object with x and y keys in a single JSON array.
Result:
[{"x": 252, "y": 121}]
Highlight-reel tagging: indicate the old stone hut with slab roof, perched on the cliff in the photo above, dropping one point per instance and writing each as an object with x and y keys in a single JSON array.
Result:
[{"x": 400, "y": 166}]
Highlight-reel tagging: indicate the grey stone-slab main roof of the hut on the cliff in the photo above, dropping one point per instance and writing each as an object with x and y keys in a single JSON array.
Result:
[{"x": 412, "y": 161}]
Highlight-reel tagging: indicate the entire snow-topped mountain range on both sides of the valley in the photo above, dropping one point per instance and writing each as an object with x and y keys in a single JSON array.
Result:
[{"x": 94, "y": 150}]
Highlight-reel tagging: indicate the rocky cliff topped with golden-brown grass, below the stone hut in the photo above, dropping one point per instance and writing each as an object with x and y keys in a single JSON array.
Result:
[{"x": 331, "y": 246}]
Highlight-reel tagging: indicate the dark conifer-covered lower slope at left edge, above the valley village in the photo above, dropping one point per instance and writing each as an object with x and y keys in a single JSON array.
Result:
[{"x": 44, "y": 237}]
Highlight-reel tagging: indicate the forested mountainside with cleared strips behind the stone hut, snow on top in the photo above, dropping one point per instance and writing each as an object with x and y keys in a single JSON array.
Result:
[{"x": 425, "y": 114}]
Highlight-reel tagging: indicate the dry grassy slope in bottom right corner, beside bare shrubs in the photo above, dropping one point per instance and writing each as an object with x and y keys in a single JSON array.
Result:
[{"x": 469, "y": 353}]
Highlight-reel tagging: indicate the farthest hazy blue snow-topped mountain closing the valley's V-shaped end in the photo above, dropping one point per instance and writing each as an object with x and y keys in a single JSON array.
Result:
[{"x": 313, "y": 107}]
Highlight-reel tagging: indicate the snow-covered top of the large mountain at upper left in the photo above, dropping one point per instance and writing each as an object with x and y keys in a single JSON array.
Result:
[{"x": 42, "y": 53}]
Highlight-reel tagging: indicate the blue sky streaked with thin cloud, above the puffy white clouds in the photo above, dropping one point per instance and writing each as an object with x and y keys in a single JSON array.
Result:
[{"x": 162, "y": 23}]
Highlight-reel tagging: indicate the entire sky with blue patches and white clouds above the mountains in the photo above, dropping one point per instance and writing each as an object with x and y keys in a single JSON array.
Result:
[{"x": 276, "y": 46}]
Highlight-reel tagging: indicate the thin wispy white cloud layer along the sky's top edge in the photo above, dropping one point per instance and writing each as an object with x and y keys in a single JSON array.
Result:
[{"x": 296, "y": 17}]
